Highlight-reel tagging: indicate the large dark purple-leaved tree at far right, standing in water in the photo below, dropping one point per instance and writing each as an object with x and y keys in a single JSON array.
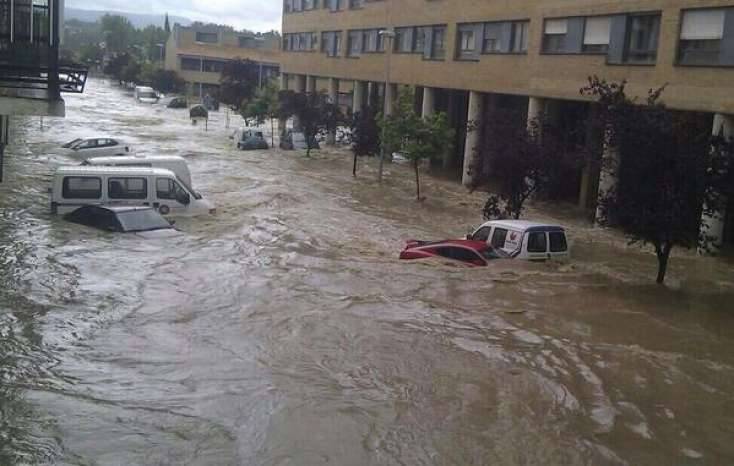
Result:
[{"x": 669, "y": 172}]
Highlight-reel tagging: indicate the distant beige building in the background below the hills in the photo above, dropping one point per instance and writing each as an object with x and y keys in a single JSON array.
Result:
[{"x": 198, "y": 53}]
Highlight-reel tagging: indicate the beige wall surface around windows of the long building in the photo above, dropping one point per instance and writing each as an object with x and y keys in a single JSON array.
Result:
[{"x": 556, "y": 76}]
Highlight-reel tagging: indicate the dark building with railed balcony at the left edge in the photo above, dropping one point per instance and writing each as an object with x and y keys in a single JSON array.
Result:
[{"x": 31, "y": 78}]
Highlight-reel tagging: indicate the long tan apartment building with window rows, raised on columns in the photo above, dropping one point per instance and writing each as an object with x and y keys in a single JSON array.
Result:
[{"x": 465, "y": 56}]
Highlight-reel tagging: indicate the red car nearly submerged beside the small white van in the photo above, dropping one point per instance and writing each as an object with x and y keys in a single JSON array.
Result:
[{"x": 472, "y": 253}]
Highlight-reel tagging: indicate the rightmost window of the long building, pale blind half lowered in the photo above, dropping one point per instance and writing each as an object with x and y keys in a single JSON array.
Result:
[{"x": 701, "y": 37}]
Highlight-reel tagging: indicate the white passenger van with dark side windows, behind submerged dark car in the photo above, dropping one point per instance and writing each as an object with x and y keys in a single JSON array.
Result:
[{"x": 76, "y": 186}]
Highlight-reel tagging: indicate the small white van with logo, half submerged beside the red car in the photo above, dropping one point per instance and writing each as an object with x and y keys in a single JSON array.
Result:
[{"x": 524, "y": 240}]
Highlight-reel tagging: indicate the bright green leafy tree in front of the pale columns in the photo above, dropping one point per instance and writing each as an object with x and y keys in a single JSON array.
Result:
[{"x": 417, "y": 138}]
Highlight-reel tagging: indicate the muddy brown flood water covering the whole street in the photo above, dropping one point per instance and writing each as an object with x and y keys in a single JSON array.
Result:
[{"x": 284, "y": 331}]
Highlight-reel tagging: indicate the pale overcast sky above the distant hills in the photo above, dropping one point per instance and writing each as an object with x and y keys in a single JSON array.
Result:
[{"x": 256, "y": 15}]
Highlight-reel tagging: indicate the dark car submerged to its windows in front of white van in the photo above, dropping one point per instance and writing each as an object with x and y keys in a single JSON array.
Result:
[{"x": 123, "y": 219}]
